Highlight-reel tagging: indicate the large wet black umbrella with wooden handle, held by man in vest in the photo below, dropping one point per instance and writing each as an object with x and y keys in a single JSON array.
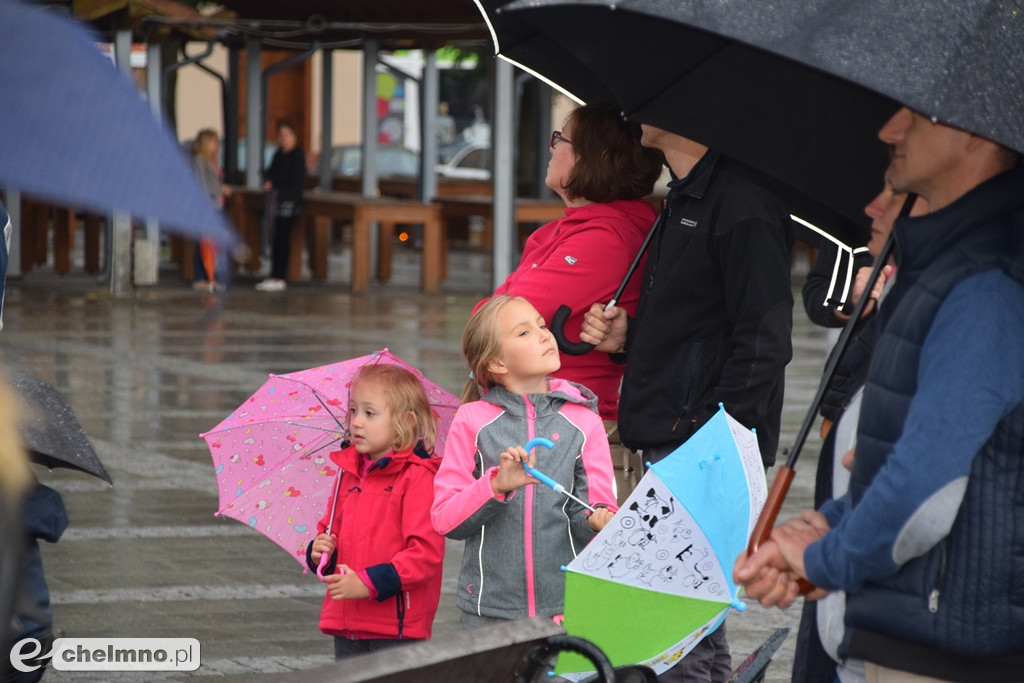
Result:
[{"x": 796, "y": 89}]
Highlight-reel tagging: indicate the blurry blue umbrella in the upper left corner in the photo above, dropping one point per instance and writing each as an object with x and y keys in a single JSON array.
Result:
[{"x": 73, "y": 130}]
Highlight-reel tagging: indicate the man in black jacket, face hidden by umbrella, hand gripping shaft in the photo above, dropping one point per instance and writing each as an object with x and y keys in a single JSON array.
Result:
[{"x": 714, "y": 323}]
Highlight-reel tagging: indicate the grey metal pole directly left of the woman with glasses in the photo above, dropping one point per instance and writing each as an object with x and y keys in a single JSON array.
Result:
[{"x": 503, "y": 137}]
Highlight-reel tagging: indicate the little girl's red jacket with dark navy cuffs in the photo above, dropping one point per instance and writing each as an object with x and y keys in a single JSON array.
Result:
[{"x": 383, "y": 526}]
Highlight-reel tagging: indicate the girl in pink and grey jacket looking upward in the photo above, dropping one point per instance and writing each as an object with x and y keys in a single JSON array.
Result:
[{"x": 520, "y": 536}]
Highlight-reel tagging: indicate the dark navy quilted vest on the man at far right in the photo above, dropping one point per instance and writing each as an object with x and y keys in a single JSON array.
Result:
[{"x": 960, "y": 599}]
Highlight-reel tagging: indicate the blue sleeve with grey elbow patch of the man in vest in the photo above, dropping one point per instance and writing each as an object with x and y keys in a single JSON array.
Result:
[{"x": 971, "y": 375}]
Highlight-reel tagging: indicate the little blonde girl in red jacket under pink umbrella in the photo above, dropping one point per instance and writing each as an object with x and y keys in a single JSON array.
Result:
[{"x": 383, "y": 559}]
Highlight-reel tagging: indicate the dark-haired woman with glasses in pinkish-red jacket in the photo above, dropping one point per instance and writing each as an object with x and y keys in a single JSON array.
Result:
[{"x": 602, "y": 173}]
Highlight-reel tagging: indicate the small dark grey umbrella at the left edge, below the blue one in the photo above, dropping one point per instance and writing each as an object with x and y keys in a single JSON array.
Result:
[{"x": 52, "y": 434}]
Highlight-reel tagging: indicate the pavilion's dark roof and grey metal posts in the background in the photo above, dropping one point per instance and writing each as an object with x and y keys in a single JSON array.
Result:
[{"x": 309, "y": 27}]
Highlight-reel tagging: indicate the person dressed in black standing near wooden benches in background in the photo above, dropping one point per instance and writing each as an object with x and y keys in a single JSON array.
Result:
[{"x": 286, "y": 178}]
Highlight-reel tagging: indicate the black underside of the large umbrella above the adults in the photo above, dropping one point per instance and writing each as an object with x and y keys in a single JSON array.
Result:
[{"x": 815, "y": 133}]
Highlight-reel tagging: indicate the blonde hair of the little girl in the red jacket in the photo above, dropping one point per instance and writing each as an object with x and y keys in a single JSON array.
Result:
[{"x": 412, "y": 417}]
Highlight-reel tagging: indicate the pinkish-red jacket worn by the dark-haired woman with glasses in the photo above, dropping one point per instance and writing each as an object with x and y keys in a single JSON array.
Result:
[{"x": 580, "y": 261}]
